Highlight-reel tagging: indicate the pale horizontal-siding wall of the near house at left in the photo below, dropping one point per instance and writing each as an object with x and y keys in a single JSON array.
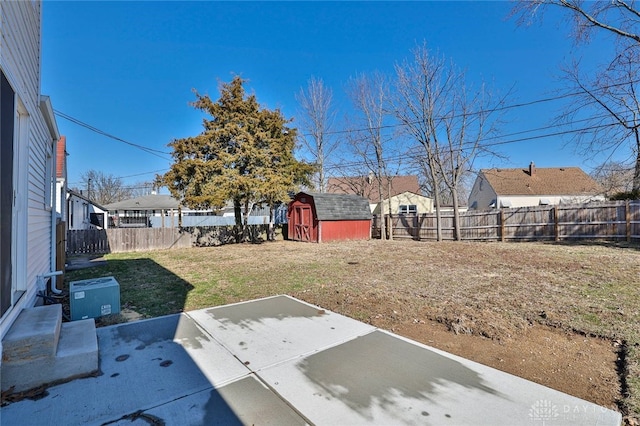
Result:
[{"x": 34, "y": 158}]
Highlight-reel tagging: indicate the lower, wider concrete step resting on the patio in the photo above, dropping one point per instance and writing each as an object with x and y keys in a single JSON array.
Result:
[{"x": 76, "y": 356}]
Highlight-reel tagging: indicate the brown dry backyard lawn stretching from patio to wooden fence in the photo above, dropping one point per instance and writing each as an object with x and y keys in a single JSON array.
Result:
[{"x": 564, "y": 315}]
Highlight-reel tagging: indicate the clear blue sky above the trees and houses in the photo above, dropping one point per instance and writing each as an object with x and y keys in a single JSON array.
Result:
[{"x": 128, "y": 68}]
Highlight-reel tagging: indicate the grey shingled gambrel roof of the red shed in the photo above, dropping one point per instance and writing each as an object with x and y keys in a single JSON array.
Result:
[{"x": 341, "y": 206}]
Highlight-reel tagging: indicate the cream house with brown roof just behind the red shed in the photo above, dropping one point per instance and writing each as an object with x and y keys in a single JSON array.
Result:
[{"x": 403, "y": 191}]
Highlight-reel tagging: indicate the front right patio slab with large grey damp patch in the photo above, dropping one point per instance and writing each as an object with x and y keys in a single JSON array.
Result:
[{"x": 381, "y": 378}]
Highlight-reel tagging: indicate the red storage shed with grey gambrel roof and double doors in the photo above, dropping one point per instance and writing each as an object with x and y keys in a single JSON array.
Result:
[{"x": 315, "y": 217}]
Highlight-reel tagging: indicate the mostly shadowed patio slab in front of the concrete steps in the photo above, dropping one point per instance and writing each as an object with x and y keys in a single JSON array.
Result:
[{"x": 143, "y": 365}]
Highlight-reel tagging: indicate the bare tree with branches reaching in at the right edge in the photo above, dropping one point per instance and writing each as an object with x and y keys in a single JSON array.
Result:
[{"x": 610, "y": 95}]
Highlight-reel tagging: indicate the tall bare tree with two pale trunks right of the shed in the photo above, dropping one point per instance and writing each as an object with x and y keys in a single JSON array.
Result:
[{"x": 447, "y": 120}]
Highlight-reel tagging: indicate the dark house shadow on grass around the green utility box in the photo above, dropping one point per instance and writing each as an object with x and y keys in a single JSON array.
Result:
[{"x": 147, "y": 289}]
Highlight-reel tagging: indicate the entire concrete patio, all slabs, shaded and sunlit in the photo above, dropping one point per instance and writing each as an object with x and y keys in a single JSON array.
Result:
[{"x": 282, "y": 361}]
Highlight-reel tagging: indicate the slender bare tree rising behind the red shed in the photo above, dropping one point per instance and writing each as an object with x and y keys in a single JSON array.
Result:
[{"x": 317, "y": 117}]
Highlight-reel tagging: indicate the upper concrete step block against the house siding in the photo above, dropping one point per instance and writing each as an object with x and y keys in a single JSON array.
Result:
[{"x": 34, "y": 334}]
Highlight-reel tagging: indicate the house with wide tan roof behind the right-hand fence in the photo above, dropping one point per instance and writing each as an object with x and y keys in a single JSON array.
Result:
[{"x": 499, "y": 188}]
